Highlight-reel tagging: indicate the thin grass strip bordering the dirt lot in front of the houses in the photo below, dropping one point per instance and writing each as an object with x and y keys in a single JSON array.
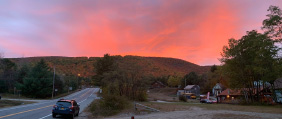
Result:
[{"x": 277, "y": 109}]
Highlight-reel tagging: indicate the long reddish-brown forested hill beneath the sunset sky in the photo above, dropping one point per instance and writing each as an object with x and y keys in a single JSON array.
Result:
[{"x": 156, "y": 66}]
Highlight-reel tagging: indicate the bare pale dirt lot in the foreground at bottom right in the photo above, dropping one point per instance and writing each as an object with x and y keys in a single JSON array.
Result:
[{"x": 190, "y": 112}]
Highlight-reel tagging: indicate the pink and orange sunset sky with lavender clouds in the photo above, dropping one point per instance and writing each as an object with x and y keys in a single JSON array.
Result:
[{"x": 192, "y": 30}]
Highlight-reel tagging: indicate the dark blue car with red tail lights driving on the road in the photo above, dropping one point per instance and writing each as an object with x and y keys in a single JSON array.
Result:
[{"x": 66, "y": 107}]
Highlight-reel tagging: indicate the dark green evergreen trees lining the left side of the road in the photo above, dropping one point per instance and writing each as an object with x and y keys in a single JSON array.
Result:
[{"x": 36, "y": 80}]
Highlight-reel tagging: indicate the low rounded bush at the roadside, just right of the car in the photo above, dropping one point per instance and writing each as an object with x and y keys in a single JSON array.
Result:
[{"x": 109, "y": 105}]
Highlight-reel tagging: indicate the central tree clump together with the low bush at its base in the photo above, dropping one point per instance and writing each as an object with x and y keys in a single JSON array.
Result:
[{"x": 120, "y": 85}]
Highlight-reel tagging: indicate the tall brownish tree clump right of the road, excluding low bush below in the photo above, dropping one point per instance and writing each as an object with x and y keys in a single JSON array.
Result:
[{"x": 116, "y": 80}]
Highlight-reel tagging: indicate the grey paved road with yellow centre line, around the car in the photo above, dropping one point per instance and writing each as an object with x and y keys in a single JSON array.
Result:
[{"x": 43, "y": 110}]
